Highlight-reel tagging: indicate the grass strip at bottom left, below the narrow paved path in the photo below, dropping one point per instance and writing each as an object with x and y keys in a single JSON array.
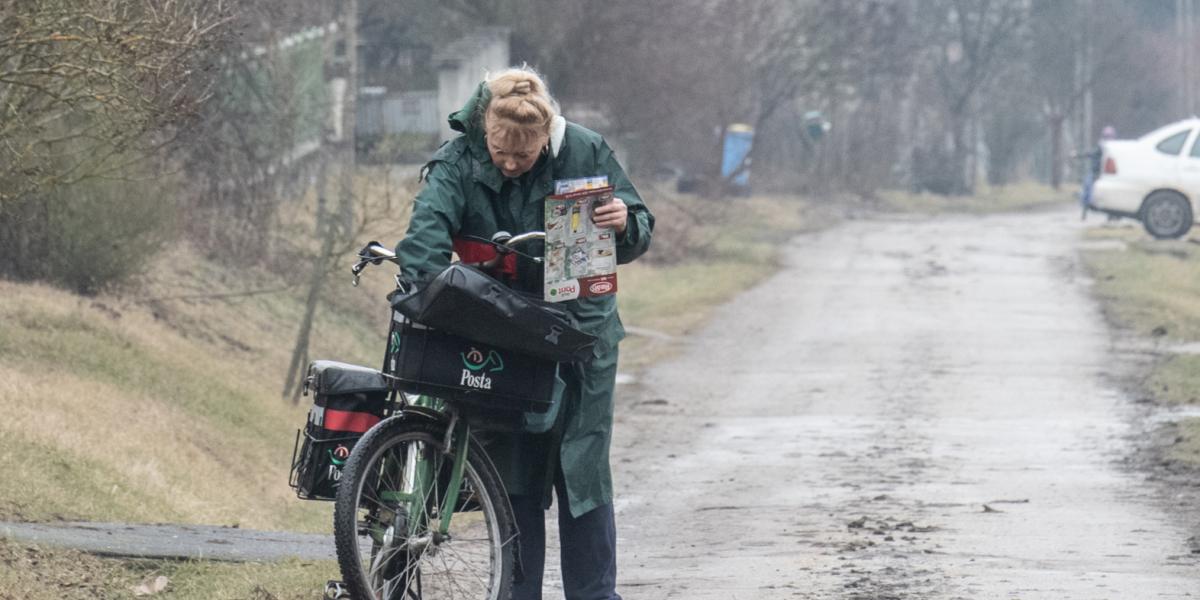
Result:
[{"x": 37, "y": 573}]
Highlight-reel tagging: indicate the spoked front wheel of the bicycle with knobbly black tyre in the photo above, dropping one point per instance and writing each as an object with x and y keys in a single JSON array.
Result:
[{"x": 389, "y": 513}]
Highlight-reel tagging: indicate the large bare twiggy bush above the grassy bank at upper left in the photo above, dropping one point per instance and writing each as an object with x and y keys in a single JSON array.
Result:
[{"x": 92, "y": 92}]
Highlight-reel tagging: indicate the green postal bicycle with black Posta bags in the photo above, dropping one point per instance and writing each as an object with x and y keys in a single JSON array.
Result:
[{"x": 421, "y": 511}]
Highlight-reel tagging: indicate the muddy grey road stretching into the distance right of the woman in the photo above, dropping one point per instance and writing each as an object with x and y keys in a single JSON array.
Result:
[{"x": 910, "y": 409}]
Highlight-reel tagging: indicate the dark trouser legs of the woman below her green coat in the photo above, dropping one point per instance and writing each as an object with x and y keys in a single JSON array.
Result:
[{"x": 589, "y": 550}]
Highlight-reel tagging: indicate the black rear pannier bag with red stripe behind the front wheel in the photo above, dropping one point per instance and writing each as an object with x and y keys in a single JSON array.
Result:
[{"x": 349, "y": 400}]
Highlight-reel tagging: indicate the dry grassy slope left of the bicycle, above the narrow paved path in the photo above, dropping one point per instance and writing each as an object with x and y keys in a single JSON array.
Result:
[{"x": 165, "y": 404}]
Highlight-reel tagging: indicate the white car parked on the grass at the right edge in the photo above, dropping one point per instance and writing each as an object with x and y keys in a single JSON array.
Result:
[{"x": 1155, "y": 179}]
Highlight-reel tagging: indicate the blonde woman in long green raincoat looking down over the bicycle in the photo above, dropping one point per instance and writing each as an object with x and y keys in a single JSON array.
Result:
[{"x": 495, "y": 177}]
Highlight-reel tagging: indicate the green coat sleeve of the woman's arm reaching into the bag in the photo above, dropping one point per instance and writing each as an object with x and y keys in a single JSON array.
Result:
[{"x": 437, "y": 218}]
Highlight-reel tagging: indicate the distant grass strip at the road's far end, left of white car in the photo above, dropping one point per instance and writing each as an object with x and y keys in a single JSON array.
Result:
[{"x": 1016, "y": 197}]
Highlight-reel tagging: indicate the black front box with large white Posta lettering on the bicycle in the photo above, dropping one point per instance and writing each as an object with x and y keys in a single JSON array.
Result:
[{"x": 427, "y": 361}]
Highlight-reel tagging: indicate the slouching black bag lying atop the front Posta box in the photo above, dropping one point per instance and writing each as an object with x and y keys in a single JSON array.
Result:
[{"x": 465, "y": 302}]
